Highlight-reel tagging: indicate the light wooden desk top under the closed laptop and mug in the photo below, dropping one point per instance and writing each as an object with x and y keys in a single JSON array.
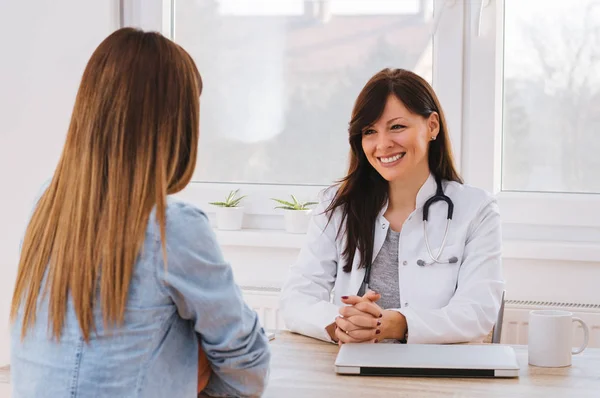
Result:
[{"x": 303, "y": 367}]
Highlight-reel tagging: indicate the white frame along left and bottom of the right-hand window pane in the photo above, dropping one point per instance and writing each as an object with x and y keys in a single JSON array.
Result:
[{"x": 482, "y": 134}]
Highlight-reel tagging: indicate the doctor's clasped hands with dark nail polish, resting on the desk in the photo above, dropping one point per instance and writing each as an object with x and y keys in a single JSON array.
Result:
[{"x": 363, "y": 321}]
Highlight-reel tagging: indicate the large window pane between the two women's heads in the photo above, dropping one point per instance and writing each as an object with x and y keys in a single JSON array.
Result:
[{"x": 281, "y": 78}]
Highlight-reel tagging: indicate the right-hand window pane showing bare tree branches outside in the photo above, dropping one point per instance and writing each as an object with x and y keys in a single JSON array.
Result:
[{"x": 551, "y": 136}]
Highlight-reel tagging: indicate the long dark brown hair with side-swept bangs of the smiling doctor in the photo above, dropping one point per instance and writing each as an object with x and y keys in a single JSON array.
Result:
[{"x": 363, "y": 192}]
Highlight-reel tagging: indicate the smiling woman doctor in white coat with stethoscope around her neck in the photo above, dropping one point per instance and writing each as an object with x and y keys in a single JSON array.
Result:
[{"x": 395, "y": 276}]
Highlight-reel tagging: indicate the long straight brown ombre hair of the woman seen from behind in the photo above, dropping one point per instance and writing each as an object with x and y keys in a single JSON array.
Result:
[{"x": 132, "y": 141}]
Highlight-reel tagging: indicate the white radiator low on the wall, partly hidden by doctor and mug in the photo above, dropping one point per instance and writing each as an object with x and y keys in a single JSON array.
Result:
[{"x": 265, "y": 301}]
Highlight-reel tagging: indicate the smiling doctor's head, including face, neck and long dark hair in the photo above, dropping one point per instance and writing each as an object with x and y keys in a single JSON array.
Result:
[{"x": 399, "y": 127}]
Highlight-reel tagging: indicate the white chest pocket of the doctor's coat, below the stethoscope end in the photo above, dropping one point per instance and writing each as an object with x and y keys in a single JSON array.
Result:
[{"x": 440, "y": 279}]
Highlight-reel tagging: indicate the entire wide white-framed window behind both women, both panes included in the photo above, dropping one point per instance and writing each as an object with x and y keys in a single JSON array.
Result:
[{"x": 517, "y": 81}]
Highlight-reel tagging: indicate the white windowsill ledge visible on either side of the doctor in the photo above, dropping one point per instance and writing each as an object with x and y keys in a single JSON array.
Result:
[{"x": 516, "y": 249}]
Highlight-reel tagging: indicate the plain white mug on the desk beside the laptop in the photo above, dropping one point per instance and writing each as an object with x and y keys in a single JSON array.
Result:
[{"x": 551, "y": 338}]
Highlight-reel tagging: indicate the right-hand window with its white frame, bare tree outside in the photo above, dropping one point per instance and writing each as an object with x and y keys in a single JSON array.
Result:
[{"x": 528, "y": 137}]
